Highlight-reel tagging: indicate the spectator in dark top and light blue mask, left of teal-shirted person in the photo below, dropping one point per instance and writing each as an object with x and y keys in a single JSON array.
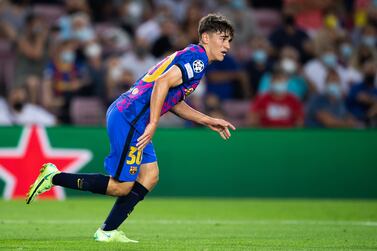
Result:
[{"x": 259, "y": 63}]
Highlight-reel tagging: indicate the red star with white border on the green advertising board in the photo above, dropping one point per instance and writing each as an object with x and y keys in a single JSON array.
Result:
[{"x": 19, "y": 167}]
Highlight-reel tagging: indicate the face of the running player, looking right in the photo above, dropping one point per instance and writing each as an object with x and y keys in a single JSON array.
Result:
[{"x": 219, "y": 45}]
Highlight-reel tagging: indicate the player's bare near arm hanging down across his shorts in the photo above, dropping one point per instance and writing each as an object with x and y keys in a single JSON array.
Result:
[{"x": 171, "y": 78}]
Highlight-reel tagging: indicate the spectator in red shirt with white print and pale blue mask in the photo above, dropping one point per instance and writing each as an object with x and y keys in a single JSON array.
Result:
[{"x": 277, "y": 107}]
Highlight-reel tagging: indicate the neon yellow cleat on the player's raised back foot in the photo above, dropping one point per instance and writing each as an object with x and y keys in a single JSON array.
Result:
[{"x": 43, "y": 183}]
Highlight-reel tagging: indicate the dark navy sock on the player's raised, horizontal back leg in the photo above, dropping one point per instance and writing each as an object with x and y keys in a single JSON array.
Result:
[{"x": 95, "y": 183}]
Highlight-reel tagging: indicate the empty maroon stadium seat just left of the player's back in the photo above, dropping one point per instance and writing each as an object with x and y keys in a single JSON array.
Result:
[{"x": 87, "y": 111}]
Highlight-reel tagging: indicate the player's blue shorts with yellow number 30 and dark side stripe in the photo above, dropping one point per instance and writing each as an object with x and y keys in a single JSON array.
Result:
[{"x": 123, "y": 162}]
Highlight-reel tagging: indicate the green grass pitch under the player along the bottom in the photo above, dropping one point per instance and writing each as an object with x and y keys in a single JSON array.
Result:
[{"x": 194, "y": 224}]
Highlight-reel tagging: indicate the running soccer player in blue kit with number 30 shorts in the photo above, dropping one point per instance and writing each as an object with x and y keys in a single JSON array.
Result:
[{"x": 132, "y": 120}]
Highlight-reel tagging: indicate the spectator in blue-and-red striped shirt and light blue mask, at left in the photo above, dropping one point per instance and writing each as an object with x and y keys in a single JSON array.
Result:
[{"x": 63, "y": 79}]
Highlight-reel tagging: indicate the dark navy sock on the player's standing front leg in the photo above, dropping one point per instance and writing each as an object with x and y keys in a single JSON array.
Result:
[{"x": 124, "y": 206}]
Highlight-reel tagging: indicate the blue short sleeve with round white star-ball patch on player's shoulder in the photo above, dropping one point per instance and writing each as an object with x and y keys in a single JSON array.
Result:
[{"x": 192, "y": 65}]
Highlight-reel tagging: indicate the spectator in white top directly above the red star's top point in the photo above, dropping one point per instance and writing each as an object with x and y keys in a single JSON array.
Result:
[{"x": 24, "y": 113}]
